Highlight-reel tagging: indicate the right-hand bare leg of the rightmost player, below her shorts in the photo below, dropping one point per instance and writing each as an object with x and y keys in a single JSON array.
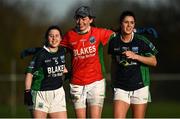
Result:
[{"x": 139, "y": 110}]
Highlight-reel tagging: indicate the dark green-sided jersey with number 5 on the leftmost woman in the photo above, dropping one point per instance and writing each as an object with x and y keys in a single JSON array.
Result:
[{"x": 47, "y": 69}]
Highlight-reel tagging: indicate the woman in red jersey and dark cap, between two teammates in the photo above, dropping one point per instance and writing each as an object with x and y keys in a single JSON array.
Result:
[{"x": 87, "y": 85}]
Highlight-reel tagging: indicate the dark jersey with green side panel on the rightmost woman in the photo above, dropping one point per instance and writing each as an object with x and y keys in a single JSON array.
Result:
[{"x": 126, "y": 73}]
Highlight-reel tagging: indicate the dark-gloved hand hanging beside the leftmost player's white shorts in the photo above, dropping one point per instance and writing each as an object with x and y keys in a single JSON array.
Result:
[{"x": 28, "y": 98}]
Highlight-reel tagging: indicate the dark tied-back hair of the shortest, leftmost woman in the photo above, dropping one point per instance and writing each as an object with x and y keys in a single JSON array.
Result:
[{"x": 47, "y": 33}]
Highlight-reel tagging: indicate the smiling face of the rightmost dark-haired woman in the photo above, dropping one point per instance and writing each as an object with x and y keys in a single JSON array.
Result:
[{"x": 127, "y": 25}]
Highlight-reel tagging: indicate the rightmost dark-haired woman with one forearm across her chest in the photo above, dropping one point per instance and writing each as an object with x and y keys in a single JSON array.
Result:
[{"x": 132, "y": 54}]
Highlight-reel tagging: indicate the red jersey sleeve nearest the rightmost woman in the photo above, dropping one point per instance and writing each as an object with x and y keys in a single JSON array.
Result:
[{"x": 105, "y": 35}]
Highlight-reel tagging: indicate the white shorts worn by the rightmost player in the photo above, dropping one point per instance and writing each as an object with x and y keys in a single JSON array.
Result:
[{"x": 139, "y": 96}]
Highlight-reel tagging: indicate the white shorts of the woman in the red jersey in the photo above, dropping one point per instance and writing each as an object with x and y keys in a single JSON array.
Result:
[{"x": 94, "y": 93}]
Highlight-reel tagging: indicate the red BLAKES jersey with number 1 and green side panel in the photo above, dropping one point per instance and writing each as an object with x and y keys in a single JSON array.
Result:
[{"x": 87, "y": 57}]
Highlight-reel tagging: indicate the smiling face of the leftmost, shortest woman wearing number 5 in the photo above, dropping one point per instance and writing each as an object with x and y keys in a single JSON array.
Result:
[{"x": 54, "y": 38}]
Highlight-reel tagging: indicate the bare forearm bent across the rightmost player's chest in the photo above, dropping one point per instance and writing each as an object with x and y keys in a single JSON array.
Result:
[{"x": 151, "y": 61}]
